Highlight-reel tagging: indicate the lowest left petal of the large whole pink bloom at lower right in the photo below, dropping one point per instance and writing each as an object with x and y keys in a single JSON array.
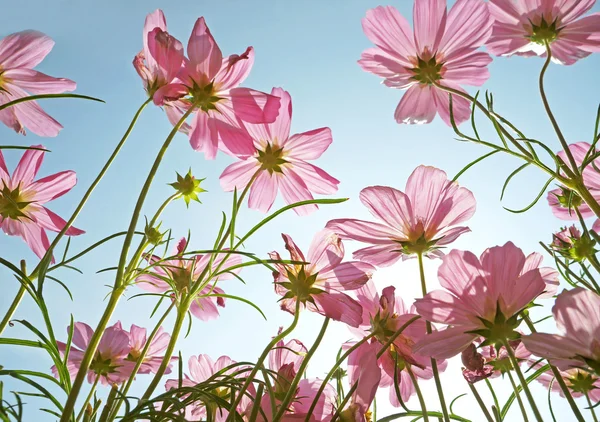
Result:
[{"x": 444, "y": 344}]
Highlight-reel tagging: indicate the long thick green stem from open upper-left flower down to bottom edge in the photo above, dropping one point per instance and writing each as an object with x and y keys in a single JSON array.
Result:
[{"x": 118, "y": 286}]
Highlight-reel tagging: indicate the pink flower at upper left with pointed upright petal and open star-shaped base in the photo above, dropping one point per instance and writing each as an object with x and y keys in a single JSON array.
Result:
[{"x": 210, "y": 83}]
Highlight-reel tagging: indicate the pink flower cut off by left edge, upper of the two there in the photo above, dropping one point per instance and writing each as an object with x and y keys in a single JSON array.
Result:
[{"x": 19, "y": 54}]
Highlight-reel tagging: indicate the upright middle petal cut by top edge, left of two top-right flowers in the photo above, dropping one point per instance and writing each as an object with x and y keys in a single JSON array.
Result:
[{"x": 429, "y": 20}]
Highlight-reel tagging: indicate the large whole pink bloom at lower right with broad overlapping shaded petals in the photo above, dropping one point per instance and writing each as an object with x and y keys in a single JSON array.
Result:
[{"x": 483, "y": 297}]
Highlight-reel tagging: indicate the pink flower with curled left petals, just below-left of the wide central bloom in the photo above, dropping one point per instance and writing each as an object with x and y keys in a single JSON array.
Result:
[{"x": 320, "y": 284}]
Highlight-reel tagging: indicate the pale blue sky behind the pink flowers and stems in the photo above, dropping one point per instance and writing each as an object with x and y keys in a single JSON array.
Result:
[{"x": 309, "y": 48}]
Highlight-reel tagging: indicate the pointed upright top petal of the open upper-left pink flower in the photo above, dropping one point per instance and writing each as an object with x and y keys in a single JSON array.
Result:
[{"x": 204, "y": 53}]
